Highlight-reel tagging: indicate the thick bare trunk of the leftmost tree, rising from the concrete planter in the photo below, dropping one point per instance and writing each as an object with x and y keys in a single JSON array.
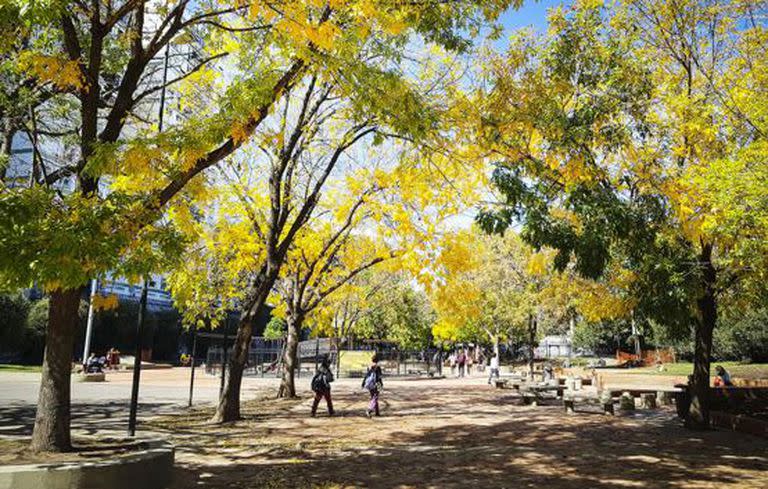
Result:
[{"x": 51, "y": 431}]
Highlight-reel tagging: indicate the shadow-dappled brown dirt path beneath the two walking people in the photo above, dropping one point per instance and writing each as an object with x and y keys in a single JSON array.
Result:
[{"x": 445, "y": 434}]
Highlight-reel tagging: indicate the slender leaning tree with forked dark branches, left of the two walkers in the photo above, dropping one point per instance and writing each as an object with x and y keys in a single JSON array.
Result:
[{"x": 369, "y": 84}]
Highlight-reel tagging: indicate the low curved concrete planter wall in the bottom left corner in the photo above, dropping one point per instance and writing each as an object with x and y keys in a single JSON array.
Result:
[{"x": 151, "y": 468}]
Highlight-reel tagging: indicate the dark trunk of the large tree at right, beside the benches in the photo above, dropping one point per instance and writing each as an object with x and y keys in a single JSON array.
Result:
[{"x": 698, "y": 414}]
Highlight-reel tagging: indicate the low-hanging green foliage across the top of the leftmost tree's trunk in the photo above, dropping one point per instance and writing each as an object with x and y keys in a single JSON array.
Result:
[{"x": 62, "y": 243}]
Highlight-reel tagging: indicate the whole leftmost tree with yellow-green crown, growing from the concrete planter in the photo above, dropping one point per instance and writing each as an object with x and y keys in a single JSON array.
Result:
[{"x": 101, "y": 204}]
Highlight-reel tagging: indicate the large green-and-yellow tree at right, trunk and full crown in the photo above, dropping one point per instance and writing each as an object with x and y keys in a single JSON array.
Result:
[{"x": 614, "y": 163}]
